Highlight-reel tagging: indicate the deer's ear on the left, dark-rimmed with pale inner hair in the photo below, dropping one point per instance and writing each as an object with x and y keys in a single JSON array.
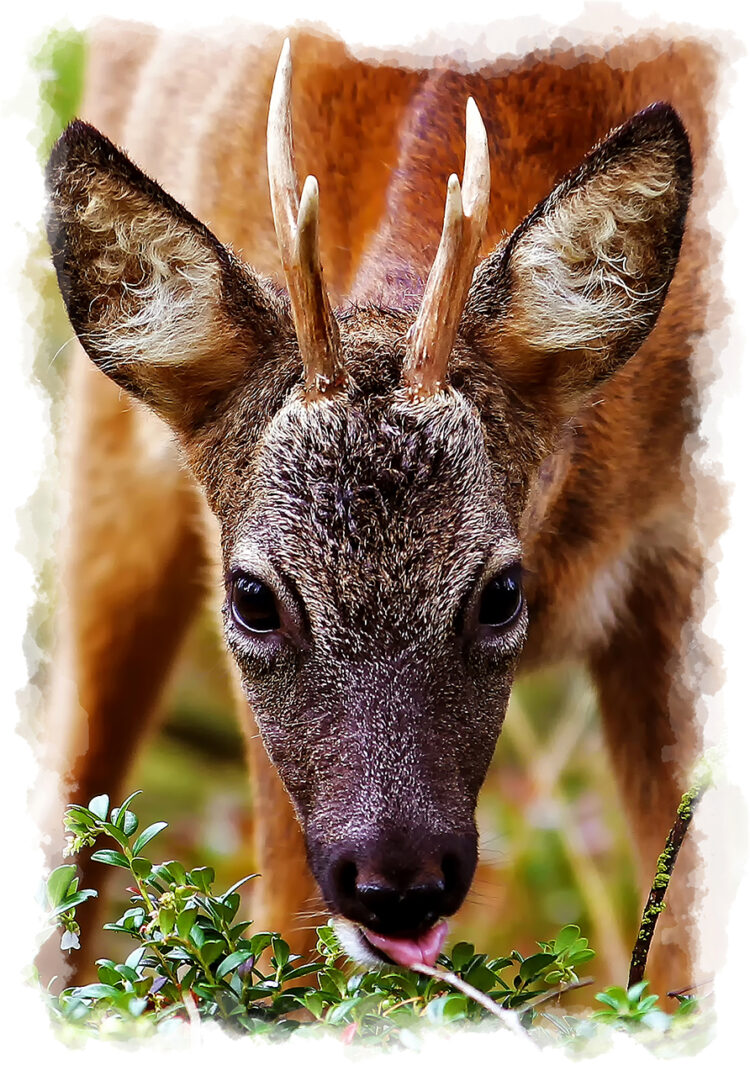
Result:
[{"x": 159, "y": 304}]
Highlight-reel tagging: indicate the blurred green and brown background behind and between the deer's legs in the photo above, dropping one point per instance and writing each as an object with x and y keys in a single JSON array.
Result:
[{"x": 554, "y": 843}]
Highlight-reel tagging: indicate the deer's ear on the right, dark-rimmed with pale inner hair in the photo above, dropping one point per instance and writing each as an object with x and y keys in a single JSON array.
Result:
[{"x": 581, "y": 284}]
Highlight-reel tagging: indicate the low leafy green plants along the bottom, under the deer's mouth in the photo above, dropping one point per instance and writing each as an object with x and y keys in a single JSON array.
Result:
[{"x": 194, "y": 960}]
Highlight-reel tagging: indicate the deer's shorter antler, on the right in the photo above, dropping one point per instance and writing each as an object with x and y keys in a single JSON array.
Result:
[{"x": 433, "y": 335}]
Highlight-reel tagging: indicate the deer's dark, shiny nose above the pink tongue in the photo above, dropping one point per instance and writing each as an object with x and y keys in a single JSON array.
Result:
[{"x": 397, "y": 890}]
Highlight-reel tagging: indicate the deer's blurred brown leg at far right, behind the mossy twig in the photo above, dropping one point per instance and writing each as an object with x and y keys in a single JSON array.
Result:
[{"x": 650, "y": 726}]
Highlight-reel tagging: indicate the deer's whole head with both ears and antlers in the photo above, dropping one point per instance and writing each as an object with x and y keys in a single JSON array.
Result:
[{"x": 370, "y": 469}]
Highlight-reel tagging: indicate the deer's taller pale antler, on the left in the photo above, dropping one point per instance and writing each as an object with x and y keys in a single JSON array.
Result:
[{"x": 298, "y": 233}]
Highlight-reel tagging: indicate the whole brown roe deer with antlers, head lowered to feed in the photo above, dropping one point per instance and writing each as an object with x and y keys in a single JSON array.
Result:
[{"x": 458, "y": 456}]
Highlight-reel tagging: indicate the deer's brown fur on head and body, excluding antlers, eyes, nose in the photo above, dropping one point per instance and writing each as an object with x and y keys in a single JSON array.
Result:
[{"x": 600, "y": 504}]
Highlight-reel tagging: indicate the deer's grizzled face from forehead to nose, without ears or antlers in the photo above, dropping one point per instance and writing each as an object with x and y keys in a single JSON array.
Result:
[{"x": 376, "y": 612}]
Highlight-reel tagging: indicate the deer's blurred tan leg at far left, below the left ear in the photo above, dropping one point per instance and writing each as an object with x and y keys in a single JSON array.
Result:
[{"x": 132, "y": 579}]
